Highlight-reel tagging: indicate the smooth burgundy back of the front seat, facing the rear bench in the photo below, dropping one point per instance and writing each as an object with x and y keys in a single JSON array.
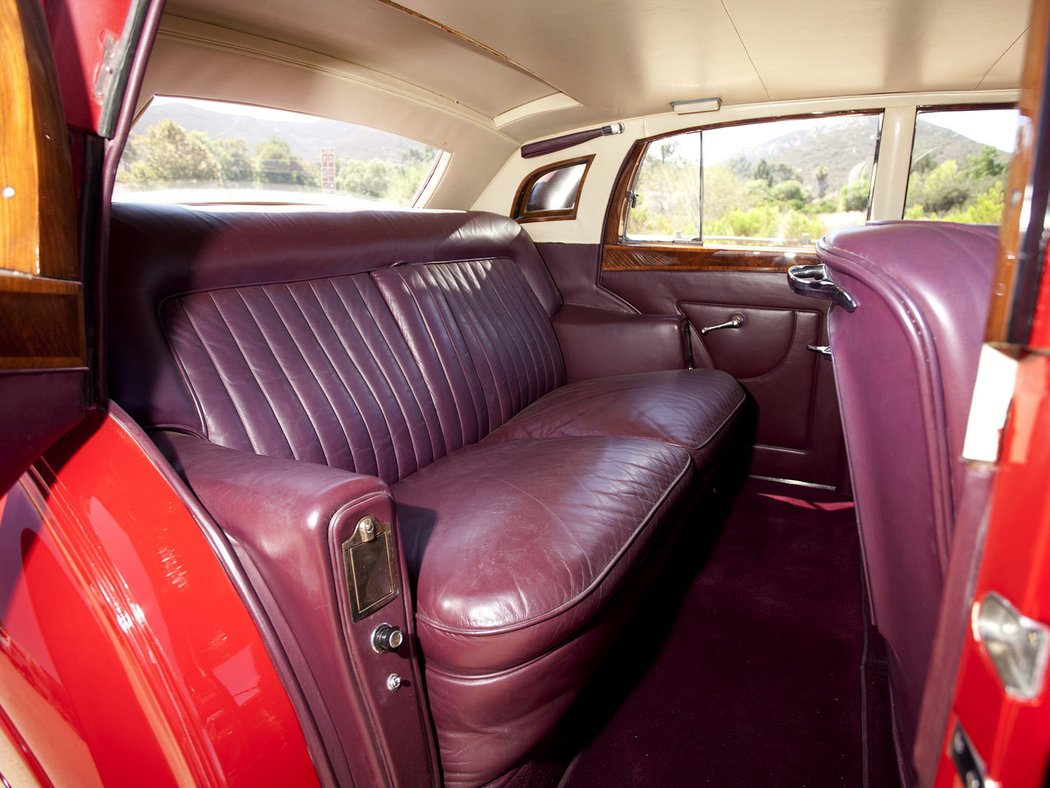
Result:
[{"x": 906, "y": 364}]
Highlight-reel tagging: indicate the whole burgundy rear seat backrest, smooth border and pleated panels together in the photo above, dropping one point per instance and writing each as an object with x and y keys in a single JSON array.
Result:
[{"x": 376, "y": 343}]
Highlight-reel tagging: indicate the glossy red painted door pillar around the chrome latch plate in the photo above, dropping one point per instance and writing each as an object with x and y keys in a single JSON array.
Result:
[{"x": 1013, "y": 737}]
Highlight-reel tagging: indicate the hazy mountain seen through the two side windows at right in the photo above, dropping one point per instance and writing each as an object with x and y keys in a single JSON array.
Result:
[{"x": 842, "y": 148}]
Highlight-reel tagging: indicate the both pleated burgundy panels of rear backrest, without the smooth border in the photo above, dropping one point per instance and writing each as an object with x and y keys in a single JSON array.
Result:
[{"x": 321, "y": 371}]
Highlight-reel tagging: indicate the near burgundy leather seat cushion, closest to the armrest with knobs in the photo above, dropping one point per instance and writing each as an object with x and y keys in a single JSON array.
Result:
[{"x": 514, "y": 546}]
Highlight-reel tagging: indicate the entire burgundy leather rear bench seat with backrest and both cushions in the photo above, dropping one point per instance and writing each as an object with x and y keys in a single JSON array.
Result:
[{"x": 303, "y": 368}]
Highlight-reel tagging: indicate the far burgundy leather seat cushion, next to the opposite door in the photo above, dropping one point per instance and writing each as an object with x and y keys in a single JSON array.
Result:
[{"x": 690, "y": 409}]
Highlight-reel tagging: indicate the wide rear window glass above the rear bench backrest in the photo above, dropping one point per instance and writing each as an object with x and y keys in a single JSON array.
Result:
[{"x": 208, "y": 152}]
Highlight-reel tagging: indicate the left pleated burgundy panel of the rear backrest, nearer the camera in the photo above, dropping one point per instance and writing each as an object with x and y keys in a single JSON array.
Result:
[{"x": 316, "y": 371}]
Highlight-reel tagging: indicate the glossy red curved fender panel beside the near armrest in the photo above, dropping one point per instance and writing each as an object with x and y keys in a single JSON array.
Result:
[{"x": 127, "y": 655}]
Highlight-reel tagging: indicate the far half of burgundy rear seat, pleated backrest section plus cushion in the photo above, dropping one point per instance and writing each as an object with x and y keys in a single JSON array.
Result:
[{"x": 479, "y": 344}]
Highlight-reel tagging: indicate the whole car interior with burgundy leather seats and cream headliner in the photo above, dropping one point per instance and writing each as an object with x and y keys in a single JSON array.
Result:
[{"x": 581, "y": 387}]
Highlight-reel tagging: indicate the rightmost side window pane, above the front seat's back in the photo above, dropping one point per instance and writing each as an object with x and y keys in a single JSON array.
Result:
[{"x": 959, "y": 163}]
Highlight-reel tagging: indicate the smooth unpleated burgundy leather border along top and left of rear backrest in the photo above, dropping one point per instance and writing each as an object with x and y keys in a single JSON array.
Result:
[{"x": 163, "y": 252}]
